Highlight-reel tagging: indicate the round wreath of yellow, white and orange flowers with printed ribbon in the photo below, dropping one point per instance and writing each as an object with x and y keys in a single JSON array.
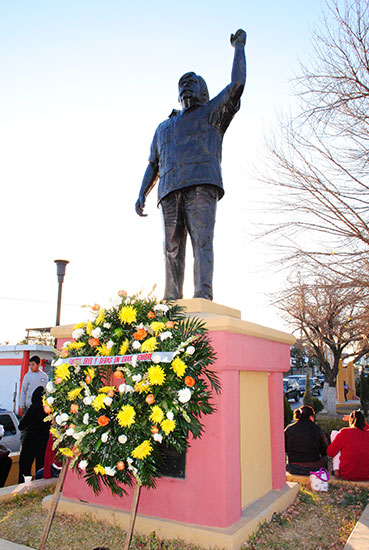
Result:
[{"x": 134, "y": 378}]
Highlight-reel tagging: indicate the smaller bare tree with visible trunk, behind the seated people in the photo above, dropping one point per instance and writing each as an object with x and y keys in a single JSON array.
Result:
[{"x": 331, "y": 318}]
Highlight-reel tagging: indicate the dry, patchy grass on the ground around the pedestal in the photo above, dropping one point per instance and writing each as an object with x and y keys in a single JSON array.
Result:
[{"x": 315, "y": 521}]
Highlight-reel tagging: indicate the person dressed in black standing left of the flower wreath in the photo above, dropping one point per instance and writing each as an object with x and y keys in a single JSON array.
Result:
[{"x": 37, "y": 433}]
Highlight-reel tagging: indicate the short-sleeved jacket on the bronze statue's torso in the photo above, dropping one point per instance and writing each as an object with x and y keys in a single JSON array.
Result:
[{"x": 187, "y": 147}]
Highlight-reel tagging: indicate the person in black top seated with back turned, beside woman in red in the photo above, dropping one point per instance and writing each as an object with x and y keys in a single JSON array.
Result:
[{"x": 305, "y": 443}]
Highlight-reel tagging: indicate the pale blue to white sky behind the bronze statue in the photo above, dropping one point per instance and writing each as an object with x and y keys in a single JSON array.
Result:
[{"x": 83, "y": 86}]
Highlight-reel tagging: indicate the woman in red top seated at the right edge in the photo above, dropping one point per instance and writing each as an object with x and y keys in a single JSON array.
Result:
[{"x": 353, "y": 443}]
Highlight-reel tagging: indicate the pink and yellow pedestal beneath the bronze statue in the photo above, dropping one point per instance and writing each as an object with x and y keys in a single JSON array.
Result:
[{"x": 239, "y": 462}]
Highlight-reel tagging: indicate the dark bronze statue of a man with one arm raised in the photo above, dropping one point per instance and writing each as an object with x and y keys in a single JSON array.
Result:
[{"x": 186, "y": 156}]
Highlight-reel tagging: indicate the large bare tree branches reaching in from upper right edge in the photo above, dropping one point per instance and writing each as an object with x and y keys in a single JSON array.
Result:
[{"x": 318, "y": 164}]
